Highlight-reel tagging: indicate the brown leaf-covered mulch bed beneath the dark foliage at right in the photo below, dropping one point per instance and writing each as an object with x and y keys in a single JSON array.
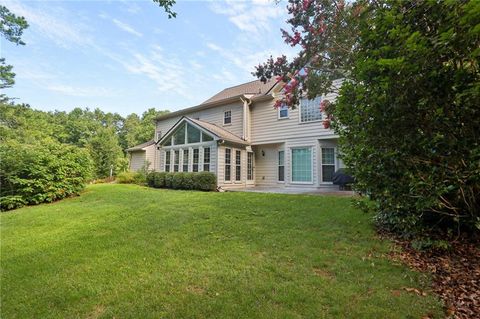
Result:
[{"x": 455, "y": 274}]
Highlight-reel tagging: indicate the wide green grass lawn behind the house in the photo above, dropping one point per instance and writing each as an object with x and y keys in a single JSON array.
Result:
[{"x": 126, "y": 251}]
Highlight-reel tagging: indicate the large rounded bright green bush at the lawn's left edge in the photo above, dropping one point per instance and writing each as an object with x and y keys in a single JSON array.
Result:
[{"x": 42, "y": 172}]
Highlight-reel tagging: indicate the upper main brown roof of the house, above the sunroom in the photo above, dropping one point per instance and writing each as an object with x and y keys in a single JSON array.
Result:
[{"x": 252, "y": 90}]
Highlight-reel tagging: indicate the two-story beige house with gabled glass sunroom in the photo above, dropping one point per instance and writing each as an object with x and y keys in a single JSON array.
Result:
[{"x": 238, "y": 135}]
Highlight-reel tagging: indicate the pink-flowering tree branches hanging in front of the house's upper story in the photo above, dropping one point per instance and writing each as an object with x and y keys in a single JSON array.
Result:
[{"x": 325, "y": 32}]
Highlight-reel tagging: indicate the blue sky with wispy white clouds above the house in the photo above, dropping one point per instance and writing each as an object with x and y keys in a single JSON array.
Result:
[{"x": 127, "y": 56}]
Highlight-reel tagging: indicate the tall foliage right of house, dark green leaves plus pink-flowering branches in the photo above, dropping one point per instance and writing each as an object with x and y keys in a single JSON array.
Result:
[{"x": 407, "y": 114}]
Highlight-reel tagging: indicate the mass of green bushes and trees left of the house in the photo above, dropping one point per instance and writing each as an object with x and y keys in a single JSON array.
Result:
[{"x": 51, "y": 155}]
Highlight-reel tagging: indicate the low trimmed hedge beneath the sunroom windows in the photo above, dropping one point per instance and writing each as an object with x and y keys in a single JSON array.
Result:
[{"x": 204, "y": 181}]
